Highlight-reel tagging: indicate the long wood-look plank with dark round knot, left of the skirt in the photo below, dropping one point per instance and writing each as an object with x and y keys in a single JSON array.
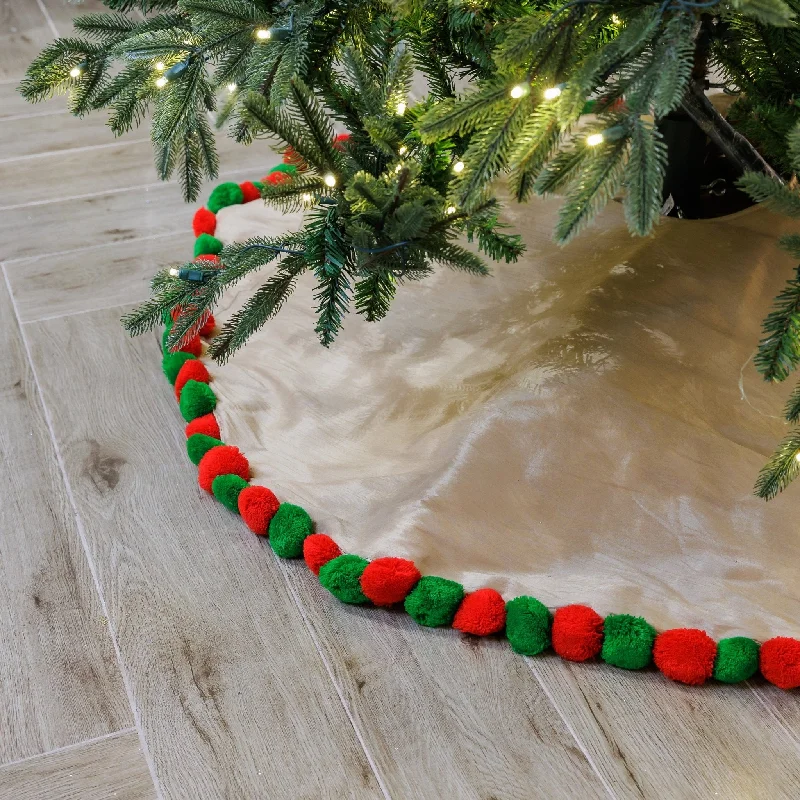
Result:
[{"x": 233, "y": 697}]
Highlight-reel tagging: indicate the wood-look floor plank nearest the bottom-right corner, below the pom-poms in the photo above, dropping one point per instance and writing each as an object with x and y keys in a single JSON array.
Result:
[{"x": 653, "y": 738}]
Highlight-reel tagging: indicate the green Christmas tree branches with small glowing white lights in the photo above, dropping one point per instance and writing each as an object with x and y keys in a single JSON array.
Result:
[{"x": 562, "y": 97}]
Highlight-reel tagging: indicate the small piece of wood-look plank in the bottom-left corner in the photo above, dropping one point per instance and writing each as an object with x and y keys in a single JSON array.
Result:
[{"x": 110, "y": 768}]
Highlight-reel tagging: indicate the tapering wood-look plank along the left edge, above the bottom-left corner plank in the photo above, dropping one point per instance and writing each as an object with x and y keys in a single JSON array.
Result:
[{"x": 59, "y": 681}]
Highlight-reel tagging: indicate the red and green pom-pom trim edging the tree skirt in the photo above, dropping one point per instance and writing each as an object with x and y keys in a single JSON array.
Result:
[{"x": 576, "y": 633}]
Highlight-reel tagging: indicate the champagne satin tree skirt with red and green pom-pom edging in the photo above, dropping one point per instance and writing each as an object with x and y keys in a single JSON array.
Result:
[{"x": 583, "y": 428}]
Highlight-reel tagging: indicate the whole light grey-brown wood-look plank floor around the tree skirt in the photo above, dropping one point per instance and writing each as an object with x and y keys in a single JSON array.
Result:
[{"x": 151, "y": 647}]
